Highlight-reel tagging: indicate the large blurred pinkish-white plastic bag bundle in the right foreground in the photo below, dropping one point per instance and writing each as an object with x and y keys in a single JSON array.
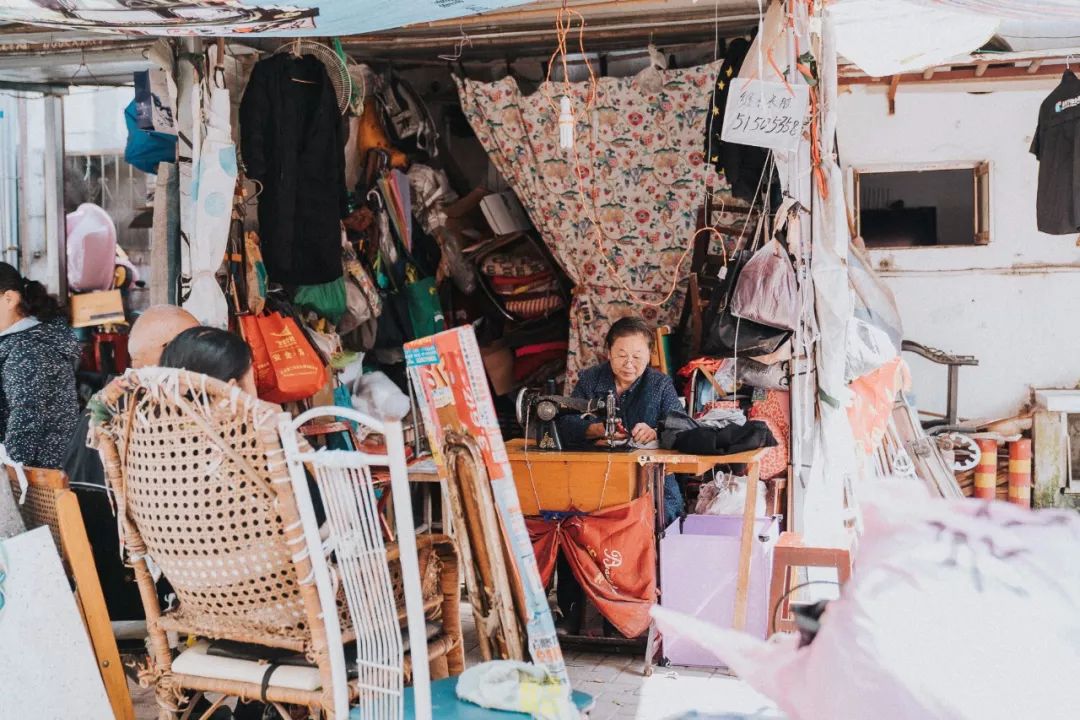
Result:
[{"x": 957, "y": 610}]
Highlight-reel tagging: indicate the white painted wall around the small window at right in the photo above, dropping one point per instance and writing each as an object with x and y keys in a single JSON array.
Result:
[{"x": 1014, "y": 304}]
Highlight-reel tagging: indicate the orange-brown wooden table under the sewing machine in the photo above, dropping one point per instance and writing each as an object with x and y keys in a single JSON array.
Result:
[{"x": 558, "y": 481}]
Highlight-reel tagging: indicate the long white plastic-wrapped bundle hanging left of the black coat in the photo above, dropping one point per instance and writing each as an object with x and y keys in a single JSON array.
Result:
[{"x": 213, "y": 182}]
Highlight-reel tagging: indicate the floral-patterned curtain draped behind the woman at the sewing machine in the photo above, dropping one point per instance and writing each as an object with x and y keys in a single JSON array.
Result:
[{"x": 643, "y": 175}]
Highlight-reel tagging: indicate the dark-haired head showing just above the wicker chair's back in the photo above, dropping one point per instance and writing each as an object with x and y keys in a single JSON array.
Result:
[{"x": 213, "y": 352}]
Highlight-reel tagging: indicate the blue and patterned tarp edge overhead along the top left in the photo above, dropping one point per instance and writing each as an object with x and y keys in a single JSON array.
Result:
[{"x": 250, "y": 18}]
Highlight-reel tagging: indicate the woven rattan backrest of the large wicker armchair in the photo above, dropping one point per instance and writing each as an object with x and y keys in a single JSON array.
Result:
[{"x": 199, "y": 476}]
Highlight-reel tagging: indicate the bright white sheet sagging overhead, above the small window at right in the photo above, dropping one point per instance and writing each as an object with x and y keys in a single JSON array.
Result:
[{"x": 902, "y": 36}]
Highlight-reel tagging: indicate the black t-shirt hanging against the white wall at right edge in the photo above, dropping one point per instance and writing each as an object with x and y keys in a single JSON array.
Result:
[{"x": 1057, "y": 145}]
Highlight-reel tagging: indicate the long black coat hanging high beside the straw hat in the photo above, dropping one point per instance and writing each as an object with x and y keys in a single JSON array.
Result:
[{"x": 293, "y": 143}]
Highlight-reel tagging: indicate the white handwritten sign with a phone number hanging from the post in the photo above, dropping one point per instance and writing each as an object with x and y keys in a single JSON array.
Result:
[{"x": 767, "y": 115}]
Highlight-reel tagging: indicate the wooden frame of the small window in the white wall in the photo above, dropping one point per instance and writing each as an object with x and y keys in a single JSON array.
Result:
[{"x": 981, "y": 197}]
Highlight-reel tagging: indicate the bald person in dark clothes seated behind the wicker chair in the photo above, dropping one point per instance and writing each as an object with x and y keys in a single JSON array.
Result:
[{"x": 154, "y": 330}]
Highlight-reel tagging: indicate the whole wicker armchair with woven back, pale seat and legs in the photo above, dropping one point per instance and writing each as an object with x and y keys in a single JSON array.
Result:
[{"x": 204, "y": 490}]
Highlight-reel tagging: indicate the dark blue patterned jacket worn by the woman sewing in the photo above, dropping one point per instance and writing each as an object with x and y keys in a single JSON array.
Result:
[{"x": 651, "y": 399}]
